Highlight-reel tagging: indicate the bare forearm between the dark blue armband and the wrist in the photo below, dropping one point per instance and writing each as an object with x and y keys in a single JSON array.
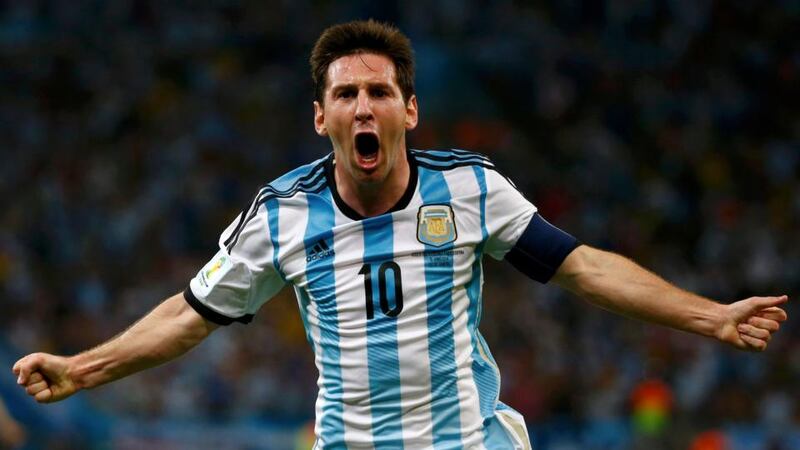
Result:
[{"x": 618, "y": 284}]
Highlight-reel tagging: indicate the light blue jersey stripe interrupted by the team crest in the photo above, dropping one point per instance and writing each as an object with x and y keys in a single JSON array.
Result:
[{"x": 445, "y": 411}]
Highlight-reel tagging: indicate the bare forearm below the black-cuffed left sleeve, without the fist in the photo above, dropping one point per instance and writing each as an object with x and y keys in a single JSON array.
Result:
[{"x": 168, "y": 331}]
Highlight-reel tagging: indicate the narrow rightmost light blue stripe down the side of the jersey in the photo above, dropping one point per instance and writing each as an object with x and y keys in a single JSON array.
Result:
[{"x": 484, "y": 372}]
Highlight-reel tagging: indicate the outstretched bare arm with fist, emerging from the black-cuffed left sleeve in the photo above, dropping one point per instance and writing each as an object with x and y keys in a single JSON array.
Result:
[{"x": 168, "y": 331}]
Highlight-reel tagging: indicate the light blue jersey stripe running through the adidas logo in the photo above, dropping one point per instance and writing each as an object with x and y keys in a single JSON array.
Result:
[{"x": 321, "y": 281}]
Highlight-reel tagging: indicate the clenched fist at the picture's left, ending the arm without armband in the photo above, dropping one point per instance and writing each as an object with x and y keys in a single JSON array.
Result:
[{"x": 45, "y": 377}]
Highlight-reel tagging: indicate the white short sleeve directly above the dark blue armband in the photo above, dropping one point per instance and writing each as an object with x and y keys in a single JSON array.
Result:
[{"x": 507, "y": 214}]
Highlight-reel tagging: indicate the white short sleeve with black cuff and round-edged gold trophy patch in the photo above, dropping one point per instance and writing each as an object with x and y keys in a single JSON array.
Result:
[{"x": 241, "y": 276}]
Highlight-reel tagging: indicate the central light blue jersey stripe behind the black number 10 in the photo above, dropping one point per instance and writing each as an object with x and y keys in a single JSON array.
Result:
[{"x": 384, "y": 365}]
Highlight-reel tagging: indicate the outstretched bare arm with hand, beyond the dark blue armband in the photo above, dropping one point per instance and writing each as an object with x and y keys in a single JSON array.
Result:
[{"x": 617, "y": 284}]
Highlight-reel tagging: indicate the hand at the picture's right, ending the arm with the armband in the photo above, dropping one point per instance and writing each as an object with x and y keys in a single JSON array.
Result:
[{"x": 749, "y": 324}]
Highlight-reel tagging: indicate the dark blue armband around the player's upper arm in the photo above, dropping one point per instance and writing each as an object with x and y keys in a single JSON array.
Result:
[{"x": 541, "y": 249}]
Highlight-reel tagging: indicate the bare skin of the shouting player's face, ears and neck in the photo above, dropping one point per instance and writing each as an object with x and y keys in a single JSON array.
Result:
[{"x": 362, "y": 96}]
